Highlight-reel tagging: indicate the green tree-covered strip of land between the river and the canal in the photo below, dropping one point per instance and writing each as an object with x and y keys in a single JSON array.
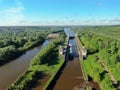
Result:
[{"x": 47, "y": 61}]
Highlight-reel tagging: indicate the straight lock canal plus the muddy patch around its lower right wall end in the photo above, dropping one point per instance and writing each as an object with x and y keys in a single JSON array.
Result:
[{"x": 71, "y": 77}]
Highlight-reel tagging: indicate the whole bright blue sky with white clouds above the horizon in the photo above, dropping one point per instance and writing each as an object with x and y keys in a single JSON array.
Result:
[{"x": 59, "y": 12}]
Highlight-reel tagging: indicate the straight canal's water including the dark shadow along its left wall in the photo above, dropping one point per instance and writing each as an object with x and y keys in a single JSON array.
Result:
[{"x": 70, "y": 76}]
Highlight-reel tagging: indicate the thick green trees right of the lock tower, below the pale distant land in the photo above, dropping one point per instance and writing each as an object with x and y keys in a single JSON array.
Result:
[{"x": 96, "y": 43}]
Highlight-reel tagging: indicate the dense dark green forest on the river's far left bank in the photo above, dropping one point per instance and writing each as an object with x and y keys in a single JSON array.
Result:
[{"x": 16, "y": 40}]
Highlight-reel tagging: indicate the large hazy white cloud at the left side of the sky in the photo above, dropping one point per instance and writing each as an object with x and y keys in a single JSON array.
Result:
[{"x": 12, "y": 15}]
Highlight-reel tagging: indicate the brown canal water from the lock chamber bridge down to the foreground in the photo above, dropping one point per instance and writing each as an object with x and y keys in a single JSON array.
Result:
[{"x": 71, "y": 77}]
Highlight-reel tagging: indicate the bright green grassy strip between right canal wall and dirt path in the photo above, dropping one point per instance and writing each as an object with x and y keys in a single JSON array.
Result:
[{"x": 92, "y": 68}]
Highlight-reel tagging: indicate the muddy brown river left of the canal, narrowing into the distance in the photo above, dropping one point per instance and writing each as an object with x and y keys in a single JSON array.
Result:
[{"x": 11, "y": 71}]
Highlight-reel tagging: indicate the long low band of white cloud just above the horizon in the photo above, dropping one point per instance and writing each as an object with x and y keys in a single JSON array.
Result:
[{"x": 72, "y": 21}]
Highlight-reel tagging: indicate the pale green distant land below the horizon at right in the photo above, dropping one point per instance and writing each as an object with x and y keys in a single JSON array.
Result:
[{"x": 107, "y": 31}]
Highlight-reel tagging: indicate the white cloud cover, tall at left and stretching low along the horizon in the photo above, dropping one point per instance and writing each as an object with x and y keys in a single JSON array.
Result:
[{"x": 14, "y": 16}]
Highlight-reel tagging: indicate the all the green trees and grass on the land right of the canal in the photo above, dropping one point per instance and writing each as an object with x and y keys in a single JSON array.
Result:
[{"x": 103, "y": 44}]
